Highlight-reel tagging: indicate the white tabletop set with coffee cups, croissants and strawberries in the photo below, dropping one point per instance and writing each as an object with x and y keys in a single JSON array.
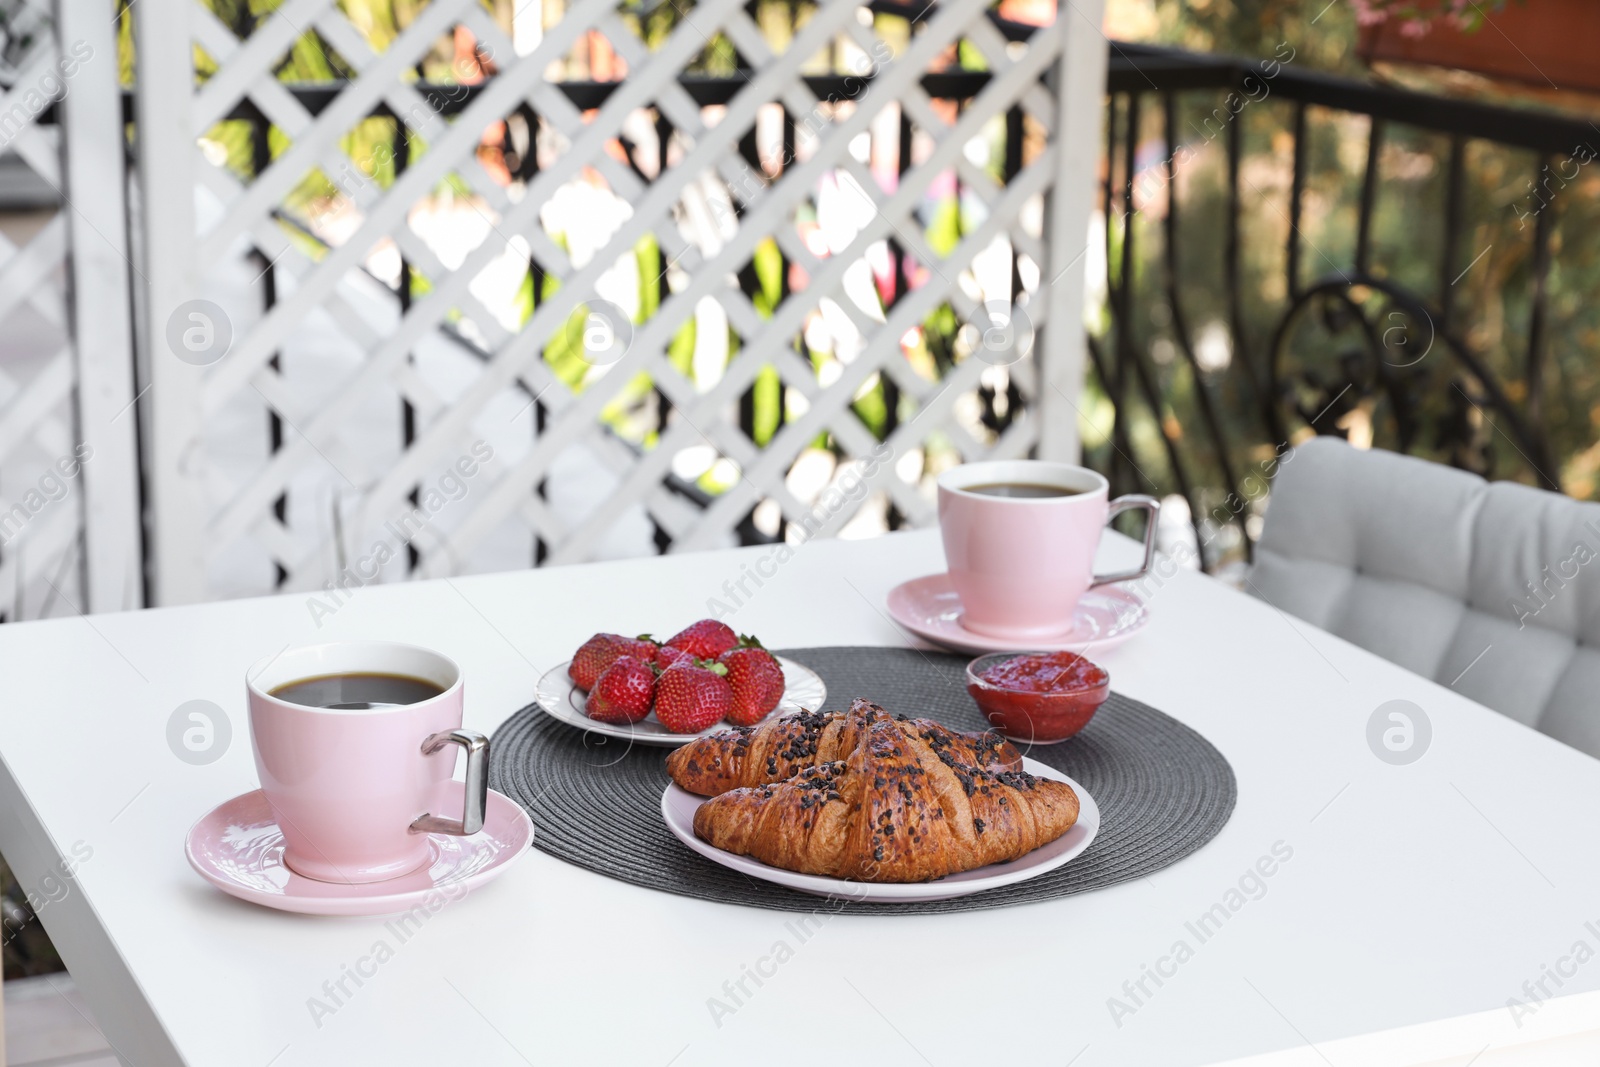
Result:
[{"x": 1415, "y": 893}]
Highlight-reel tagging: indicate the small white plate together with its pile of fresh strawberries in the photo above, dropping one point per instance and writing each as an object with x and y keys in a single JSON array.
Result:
[{"x": 668, "y": 693}]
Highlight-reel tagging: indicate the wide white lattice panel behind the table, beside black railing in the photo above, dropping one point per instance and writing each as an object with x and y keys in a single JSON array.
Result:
[{"x": 409, "y": 316}]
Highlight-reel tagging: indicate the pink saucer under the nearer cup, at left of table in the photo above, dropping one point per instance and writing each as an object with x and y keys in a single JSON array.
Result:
[{"x": 239, "y": 849}]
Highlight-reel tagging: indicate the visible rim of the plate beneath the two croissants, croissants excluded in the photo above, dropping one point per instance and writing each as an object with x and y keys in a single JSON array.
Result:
[{"x": 679, "y": 807}]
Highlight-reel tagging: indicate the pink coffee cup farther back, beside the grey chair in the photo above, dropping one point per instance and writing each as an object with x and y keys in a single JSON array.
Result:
[{"x": 1022, "y": 564}]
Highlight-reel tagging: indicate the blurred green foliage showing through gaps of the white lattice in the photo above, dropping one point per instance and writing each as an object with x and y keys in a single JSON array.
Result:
[{"x": 378, "y": 146}]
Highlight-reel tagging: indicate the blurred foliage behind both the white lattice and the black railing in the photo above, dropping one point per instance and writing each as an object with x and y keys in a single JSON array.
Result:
[{"x": 1492, "y": 302}]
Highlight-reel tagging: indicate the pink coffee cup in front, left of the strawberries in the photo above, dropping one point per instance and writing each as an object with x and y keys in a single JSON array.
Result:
[{"x": 358, "y": 793}]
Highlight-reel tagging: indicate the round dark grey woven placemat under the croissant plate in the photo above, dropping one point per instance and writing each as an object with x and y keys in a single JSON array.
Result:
[{"x": 1162, "y": 789}]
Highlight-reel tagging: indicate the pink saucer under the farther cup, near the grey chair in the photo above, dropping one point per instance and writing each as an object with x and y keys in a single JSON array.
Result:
[{"x": 929, "y": 607}]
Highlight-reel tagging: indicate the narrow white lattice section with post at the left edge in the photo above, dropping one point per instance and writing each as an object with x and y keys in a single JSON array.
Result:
[{"x": 68, "y": 506}]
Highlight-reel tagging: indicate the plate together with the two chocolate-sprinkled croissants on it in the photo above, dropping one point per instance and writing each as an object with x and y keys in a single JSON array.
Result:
[{"x": 874, "y": 807}]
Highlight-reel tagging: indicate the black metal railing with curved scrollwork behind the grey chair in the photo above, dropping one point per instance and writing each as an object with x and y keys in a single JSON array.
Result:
[{"x": 1401, "y": 348}]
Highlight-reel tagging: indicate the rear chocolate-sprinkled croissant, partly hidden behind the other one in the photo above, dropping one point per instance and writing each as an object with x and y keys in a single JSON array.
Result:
[{"x": 780, "y": 748}]
